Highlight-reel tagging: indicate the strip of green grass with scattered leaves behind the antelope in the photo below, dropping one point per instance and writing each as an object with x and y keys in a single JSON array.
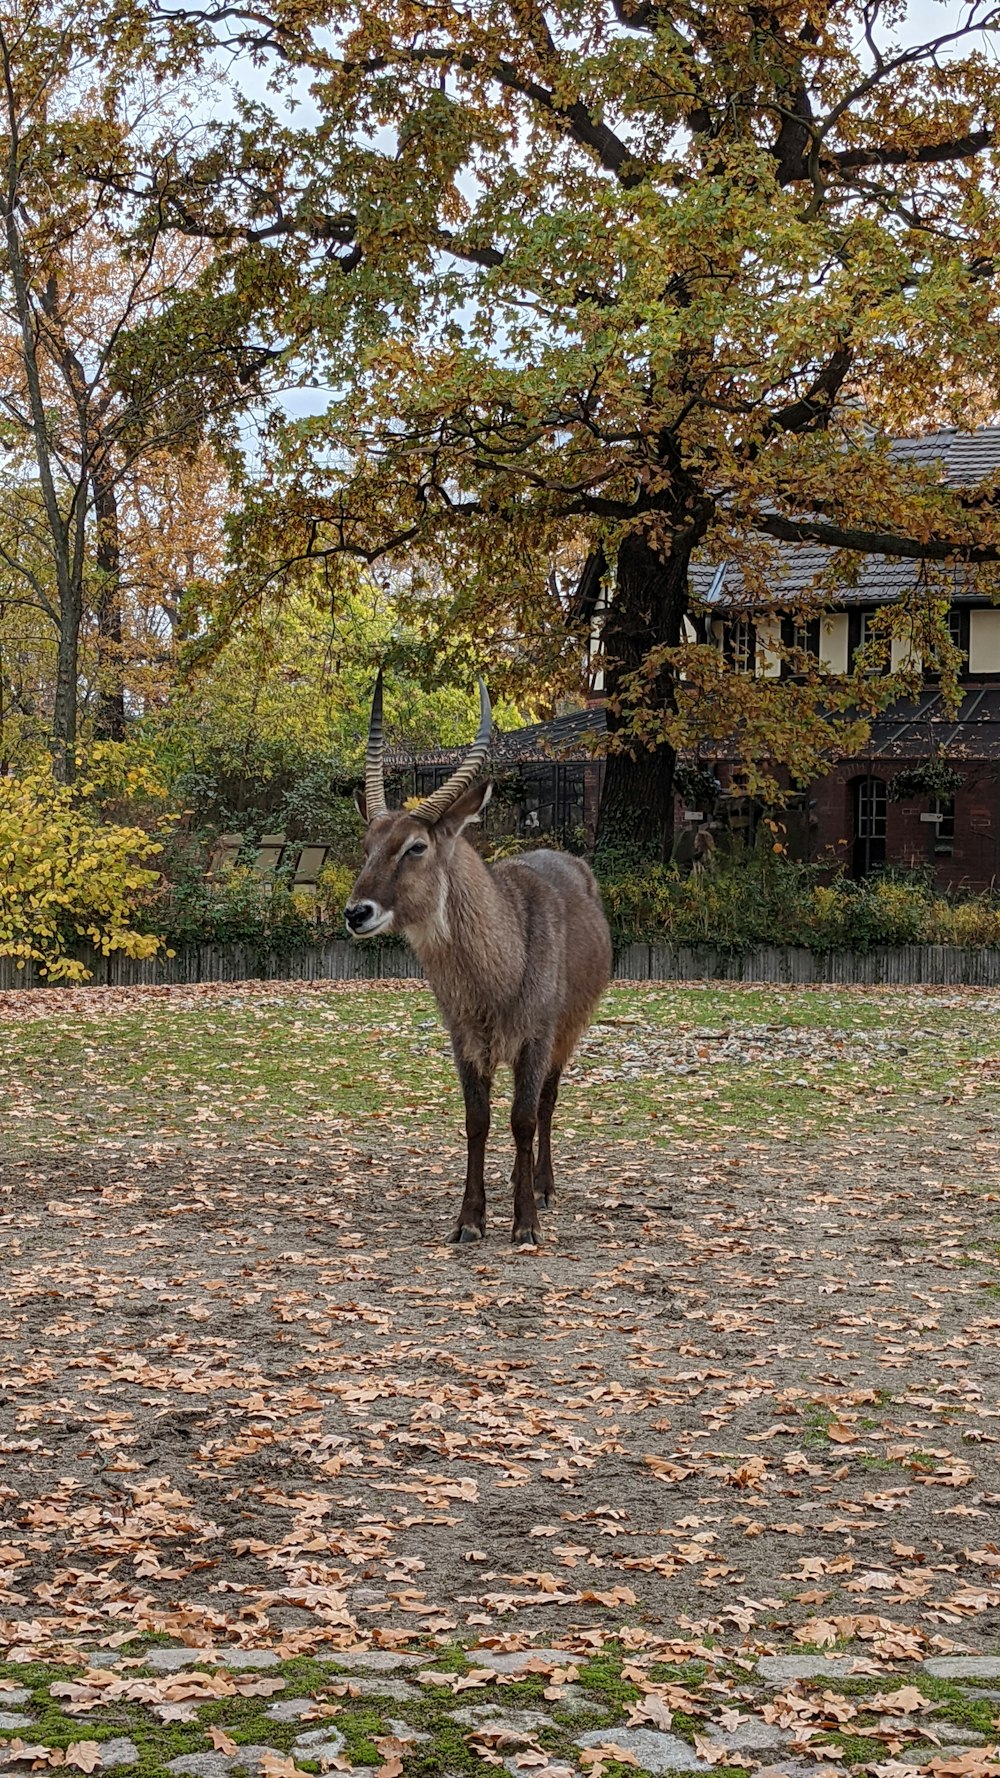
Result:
[{"x": 291, "y": 1062}]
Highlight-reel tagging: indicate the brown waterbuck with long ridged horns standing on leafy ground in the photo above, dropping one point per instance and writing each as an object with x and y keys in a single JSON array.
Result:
[{"x": 517, "y": 954}]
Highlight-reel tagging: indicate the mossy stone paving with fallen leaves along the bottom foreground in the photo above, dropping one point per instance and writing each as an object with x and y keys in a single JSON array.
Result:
[{"x": 775, "y": 1717}]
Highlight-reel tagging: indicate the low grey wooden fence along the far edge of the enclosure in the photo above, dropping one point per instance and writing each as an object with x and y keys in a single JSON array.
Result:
[{"x": 341, "y": 961}]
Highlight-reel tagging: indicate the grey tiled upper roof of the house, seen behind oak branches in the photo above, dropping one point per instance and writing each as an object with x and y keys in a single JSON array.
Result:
[{"x": 965, "y": 458}]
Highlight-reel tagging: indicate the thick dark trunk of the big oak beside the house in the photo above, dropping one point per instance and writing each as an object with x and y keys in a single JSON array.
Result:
[{"x": 647, "y": 613}]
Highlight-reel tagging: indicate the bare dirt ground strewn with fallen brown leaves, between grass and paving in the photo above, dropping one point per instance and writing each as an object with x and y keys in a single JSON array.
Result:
[{"x": 750, "y": 1390}]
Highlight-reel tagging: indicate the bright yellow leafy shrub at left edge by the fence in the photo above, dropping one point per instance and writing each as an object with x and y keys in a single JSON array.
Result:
[{"x": 67, "y": 877}]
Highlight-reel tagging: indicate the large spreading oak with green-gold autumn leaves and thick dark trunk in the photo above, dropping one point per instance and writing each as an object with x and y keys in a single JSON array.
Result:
[{"x": 624, "y": 280}]
